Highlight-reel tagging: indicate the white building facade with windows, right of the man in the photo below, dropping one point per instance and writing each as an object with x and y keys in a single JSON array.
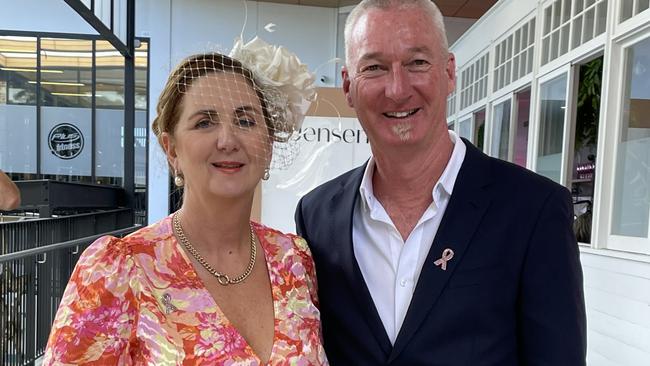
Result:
[{"x": 562, "y": 87}]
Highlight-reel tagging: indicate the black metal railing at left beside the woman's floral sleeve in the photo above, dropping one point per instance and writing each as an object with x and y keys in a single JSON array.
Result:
[{"x": 36, "y": 260}]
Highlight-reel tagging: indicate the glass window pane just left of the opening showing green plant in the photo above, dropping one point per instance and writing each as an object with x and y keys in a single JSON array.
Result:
[{"x": 551, "y": 134}]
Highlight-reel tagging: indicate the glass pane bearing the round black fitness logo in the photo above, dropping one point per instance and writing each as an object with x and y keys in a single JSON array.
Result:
[{"x": 66, "y": 115}]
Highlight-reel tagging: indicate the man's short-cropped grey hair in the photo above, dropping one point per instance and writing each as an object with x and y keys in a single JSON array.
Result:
[{"x": 365, "y": 5}]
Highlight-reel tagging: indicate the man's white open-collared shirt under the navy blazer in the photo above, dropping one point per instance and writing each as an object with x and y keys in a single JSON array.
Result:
[{"x": 390, "y": 266}]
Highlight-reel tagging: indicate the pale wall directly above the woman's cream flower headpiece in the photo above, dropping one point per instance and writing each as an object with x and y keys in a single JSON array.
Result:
[{"x": 205, "y": 25}]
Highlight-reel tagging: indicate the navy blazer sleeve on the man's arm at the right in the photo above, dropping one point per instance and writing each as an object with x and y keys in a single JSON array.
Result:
[{"x": 551, "y": 308}]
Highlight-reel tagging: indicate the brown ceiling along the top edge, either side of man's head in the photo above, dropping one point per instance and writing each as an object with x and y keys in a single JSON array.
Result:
[{"x": 473, "y": 9}]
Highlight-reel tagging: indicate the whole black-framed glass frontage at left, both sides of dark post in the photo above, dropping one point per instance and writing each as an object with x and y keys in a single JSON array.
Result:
[{"x": 73, "y": 74}]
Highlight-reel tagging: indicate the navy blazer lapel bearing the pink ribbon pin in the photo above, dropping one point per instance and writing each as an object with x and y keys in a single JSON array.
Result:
[{"x": 467, "y": 205}]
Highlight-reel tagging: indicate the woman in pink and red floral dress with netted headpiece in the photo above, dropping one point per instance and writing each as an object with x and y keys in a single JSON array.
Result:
[{"x": 204, "y": 285}]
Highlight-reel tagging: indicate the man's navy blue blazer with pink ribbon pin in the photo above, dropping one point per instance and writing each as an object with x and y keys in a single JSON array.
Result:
[{"x": 511, "y": 295}]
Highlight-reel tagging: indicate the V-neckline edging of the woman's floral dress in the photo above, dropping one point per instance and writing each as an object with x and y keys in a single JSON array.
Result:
[{"x": 220, "y": 314}]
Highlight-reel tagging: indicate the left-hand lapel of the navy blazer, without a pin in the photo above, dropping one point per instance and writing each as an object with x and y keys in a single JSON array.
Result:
[{"x": 344, "y": 203}]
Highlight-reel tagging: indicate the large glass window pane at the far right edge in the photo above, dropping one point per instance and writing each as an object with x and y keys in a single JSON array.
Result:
[{"x": 631, "y": 211}]
